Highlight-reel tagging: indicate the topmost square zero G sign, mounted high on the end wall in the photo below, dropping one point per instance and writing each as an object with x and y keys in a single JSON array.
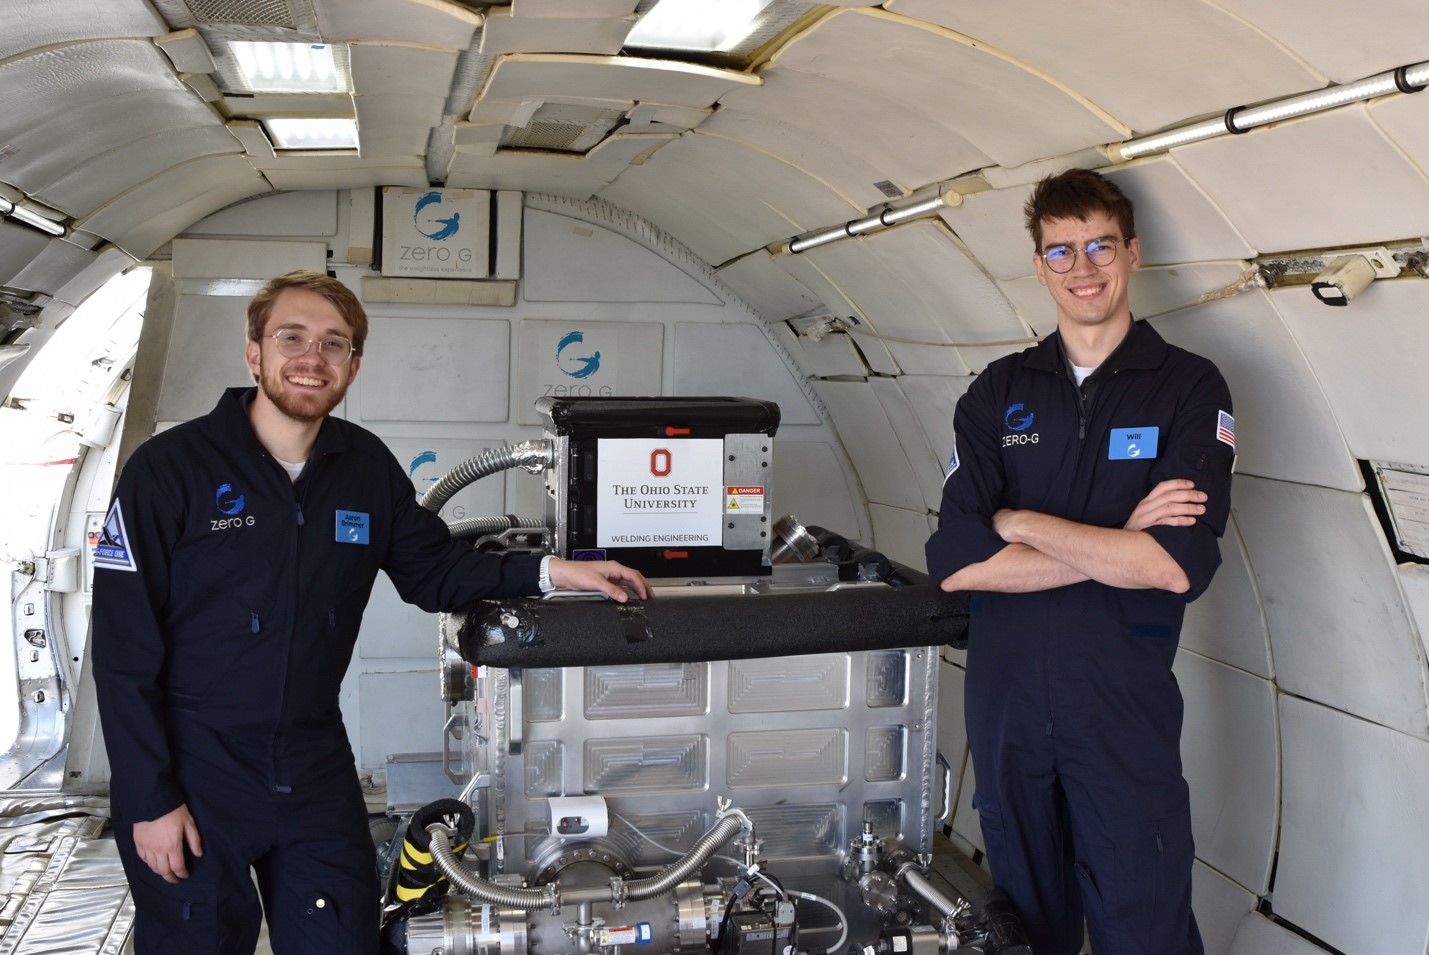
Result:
[{"x": 439, "y": 234}]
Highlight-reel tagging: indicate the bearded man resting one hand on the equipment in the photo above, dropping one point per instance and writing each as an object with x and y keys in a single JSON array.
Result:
[{"x": 239, "y": 555}]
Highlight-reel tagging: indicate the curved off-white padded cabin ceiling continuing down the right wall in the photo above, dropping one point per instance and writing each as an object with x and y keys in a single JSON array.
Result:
[{"x": 1307, "y": 741}]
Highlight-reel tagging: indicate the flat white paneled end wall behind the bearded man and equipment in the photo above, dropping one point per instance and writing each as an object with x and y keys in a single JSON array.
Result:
[{"x": 442, "y": 382}]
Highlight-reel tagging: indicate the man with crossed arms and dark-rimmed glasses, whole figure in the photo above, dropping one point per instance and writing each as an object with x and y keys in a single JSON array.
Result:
[{"x": 1087, "y": 493}]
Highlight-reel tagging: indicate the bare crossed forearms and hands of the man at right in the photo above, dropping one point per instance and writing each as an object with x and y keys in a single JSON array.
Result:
[{"x": 1047, "y": 553}]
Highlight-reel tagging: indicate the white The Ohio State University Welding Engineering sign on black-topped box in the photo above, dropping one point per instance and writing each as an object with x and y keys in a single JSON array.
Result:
[{"x": 655, "y": 493}]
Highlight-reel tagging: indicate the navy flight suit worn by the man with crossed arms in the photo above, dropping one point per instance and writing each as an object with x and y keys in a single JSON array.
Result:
[{"x": 1074, "y": 716}]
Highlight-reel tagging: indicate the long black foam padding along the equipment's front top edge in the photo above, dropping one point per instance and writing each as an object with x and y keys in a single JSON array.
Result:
[{"x": 682, "y": 630}]
